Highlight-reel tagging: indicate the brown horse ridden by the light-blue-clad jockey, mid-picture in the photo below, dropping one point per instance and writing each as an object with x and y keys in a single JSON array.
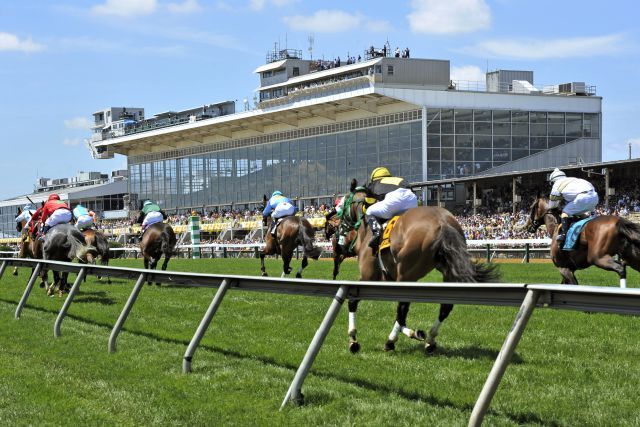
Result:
[{"x": 290, "y": 232}]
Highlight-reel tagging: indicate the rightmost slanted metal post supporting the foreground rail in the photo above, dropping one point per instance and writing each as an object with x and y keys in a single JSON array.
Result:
[{"x": 504, "y": 357}]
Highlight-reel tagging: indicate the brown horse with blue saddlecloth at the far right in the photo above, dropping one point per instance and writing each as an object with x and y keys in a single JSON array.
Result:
[{"x": 600, "y": 240}]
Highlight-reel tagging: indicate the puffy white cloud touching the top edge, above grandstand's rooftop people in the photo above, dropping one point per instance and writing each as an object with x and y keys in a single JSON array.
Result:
[{"x": 450, "y": 17}]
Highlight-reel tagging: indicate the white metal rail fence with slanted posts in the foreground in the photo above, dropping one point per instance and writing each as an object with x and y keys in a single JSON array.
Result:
[{"x": 526, "y": 296}]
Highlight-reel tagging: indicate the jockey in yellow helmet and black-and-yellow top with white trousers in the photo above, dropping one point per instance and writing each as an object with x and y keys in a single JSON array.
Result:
[{"x": 392, "y": 197}]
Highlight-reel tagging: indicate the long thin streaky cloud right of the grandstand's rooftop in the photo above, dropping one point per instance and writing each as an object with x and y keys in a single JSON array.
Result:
[{"x": 546, "y": 49}]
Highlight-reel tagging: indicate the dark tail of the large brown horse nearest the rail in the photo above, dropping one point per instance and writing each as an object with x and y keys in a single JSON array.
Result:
[{"x": 454, "y": 261}]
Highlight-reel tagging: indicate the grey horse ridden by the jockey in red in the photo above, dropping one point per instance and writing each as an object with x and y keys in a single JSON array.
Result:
[{"x": 64, "y": 242}]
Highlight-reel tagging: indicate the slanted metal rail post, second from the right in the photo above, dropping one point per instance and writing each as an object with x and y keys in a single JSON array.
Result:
[{"x": 295, "y": 389}]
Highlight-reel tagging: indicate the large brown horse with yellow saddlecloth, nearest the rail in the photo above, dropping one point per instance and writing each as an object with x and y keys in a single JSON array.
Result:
[{"x": 423, "y": 238}]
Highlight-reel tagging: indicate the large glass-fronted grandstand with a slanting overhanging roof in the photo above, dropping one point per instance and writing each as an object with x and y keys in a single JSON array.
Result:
[{"x": 316, "y": 125}]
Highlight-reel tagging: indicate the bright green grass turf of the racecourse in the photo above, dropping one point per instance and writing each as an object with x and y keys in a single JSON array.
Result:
[{"x": 570, "y": 368}]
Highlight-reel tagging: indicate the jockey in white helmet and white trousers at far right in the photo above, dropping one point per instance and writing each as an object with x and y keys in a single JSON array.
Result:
[{"x": 580, "y": 197}]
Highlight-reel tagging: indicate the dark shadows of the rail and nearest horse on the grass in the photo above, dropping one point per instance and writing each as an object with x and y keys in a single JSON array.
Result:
[{"x": 319, "y": 399}]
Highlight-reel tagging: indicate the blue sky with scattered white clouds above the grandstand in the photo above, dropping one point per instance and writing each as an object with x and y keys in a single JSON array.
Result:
[{"x": 62, "y": 60}]
